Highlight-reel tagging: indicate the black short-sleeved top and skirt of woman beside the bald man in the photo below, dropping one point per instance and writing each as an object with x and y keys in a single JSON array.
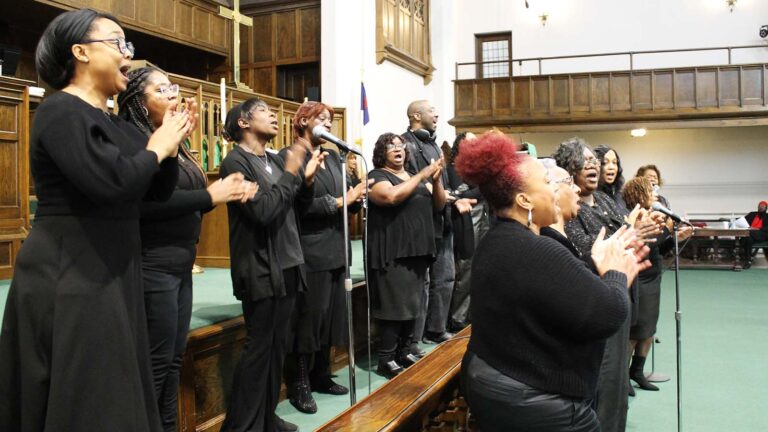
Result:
[{"x": 401, "y": 246}]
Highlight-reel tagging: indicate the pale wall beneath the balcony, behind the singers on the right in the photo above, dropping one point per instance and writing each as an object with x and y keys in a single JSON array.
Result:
[{"x": 704, "y": 170}]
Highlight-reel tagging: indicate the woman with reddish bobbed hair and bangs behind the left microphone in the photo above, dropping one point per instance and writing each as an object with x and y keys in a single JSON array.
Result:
[{"x": 320, "y": 315}]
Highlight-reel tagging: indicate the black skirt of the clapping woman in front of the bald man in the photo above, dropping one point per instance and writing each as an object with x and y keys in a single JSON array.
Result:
[{"x": 397, "y": 288}]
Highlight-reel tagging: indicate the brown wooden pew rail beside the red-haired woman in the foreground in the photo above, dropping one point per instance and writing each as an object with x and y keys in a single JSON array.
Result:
[{"x": 424, "y": 397}]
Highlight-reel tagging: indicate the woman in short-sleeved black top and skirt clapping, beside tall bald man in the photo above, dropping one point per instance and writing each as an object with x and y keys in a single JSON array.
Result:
[{"x": 401, "y": 246}]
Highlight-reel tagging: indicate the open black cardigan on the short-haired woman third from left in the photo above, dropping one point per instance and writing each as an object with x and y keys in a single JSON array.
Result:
[{"x": 255, "y": 266}]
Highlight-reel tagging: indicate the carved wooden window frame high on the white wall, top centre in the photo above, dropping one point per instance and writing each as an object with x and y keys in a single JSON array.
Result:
[{"x": 402, "y": 35}]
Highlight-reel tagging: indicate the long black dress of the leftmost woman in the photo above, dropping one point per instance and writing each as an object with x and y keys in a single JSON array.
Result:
[{"x": 73, "y": 349}]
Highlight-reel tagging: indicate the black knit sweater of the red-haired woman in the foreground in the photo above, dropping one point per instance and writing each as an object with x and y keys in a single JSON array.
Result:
[{"x": 539, "y": 315}]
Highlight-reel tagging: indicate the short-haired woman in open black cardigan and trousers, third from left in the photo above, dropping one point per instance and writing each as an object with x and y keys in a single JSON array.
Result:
[{"x": 267, "y": 262}]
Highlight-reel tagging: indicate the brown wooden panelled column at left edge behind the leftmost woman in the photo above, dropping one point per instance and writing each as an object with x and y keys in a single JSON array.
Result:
[{"x": 14, "y": 166}]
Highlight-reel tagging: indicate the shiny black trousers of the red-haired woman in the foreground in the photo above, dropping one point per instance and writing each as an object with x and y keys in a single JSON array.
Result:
[{"x": 501, "y": 403}]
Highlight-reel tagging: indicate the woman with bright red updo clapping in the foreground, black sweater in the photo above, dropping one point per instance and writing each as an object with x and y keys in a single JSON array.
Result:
[{"x": 540, "y": 317}]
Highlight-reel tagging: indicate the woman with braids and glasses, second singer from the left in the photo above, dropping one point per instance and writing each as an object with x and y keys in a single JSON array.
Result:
[{"x": 169, "y": 235}]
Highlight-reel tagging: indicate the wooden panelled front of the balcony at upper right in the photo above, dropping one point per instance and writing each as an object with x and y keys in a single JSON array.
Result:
[{"x": 725, "y": 92}]
